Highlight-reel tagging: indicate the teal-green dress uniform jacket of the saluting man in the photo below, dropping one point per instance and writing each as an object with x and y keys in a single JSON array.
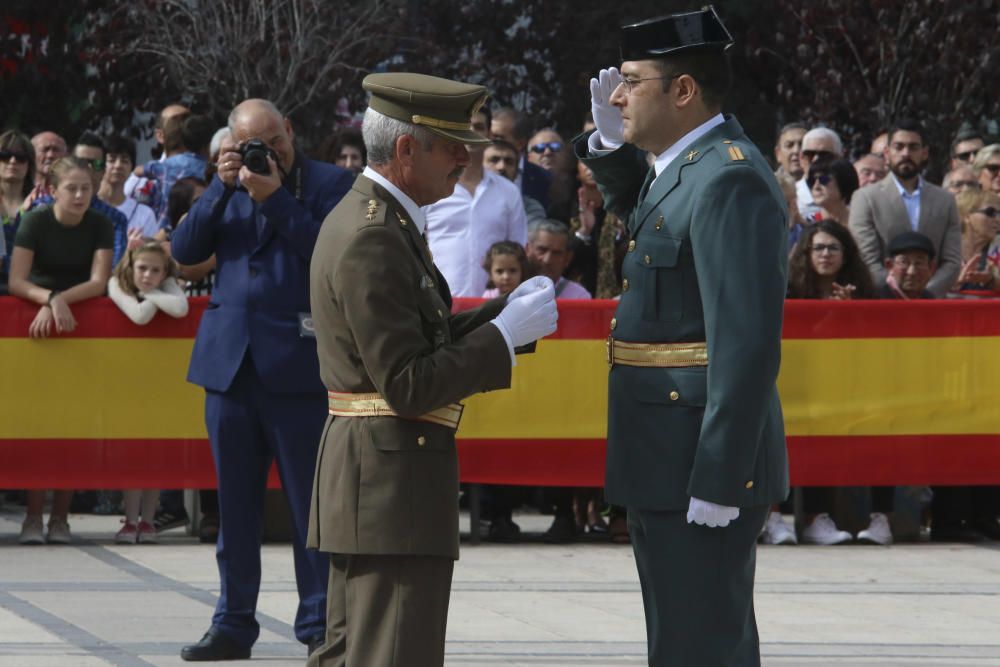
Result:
[{"x": 707, "y": 263}]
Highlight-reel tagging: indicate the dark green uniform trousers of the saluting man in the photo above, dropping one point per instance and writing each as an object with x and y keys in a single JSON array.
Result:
[{"x": 697, "y": 588}]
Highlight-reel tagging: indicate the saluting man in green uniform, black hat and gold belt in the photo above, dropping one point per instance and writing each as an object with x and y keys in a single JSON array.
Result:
[{"x": 696, "y": 446}]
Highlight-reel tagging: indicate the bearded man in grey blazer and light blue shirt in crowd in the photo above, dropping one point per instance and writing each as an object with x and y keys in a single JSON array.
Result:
[{"x": 903, "y": 201}]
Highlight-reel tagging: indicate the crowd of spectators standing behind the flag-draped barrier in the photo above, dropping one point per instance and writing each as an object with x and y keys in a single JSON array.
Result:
[{"x": 88, "y": 221}]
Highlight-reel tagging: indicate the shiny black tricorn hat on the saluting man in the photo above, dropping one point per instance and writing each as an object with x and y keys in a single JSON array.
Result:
[{"x": 667, "y": 35}]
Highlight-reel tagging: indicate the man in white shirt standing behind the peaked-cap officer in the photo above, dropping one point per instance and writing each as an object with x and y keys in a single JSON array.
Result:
[{"x": 484, "y": 208}]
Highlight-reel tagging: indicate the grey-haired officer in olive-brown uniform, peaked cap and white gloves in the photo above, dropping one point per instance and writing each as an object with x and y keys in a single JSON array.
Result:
[{"x": 396, "y": 362}]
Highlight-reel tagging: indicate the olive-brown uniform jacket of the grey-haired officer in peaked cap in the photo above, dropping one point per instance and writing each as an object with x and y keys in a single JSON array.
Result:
[{"x": 389, "y": 485}]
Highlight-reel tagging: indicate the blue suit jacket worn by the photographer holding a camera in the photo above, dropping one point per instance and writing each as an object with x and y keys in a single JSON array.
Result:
[{"x": 261, "y": 285}]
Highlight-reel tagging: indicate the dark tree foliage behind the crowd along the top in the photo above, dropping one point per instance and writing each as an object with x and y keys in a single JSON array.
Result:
[{"x": 854, "y": 65}]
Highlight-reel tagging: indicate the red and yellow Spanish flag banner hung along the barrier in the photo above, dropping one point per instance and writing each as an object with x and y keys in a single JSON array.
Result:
[{"x": 874, "y": 392}]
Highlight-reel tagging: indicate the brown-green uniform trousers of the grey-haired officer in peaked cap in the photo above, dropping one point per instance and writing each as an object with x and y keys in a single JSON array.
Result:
[{"x": 385, "y": 611}]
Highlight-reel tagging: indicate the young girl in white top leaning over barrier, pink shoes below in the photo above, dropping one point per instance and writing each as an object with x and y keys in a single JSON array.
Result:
[{"x": 142, "y": 283}]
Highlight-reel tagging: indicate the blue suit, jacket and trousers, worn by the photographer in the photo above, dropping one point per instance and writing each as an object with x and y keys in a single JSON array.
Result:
[{"x": 263, "y": 396}]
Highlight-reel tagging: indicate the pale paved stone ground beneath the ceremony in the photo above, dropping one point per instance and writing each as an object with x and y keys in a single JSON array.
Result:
[{"x": 97, "y": 603}]
